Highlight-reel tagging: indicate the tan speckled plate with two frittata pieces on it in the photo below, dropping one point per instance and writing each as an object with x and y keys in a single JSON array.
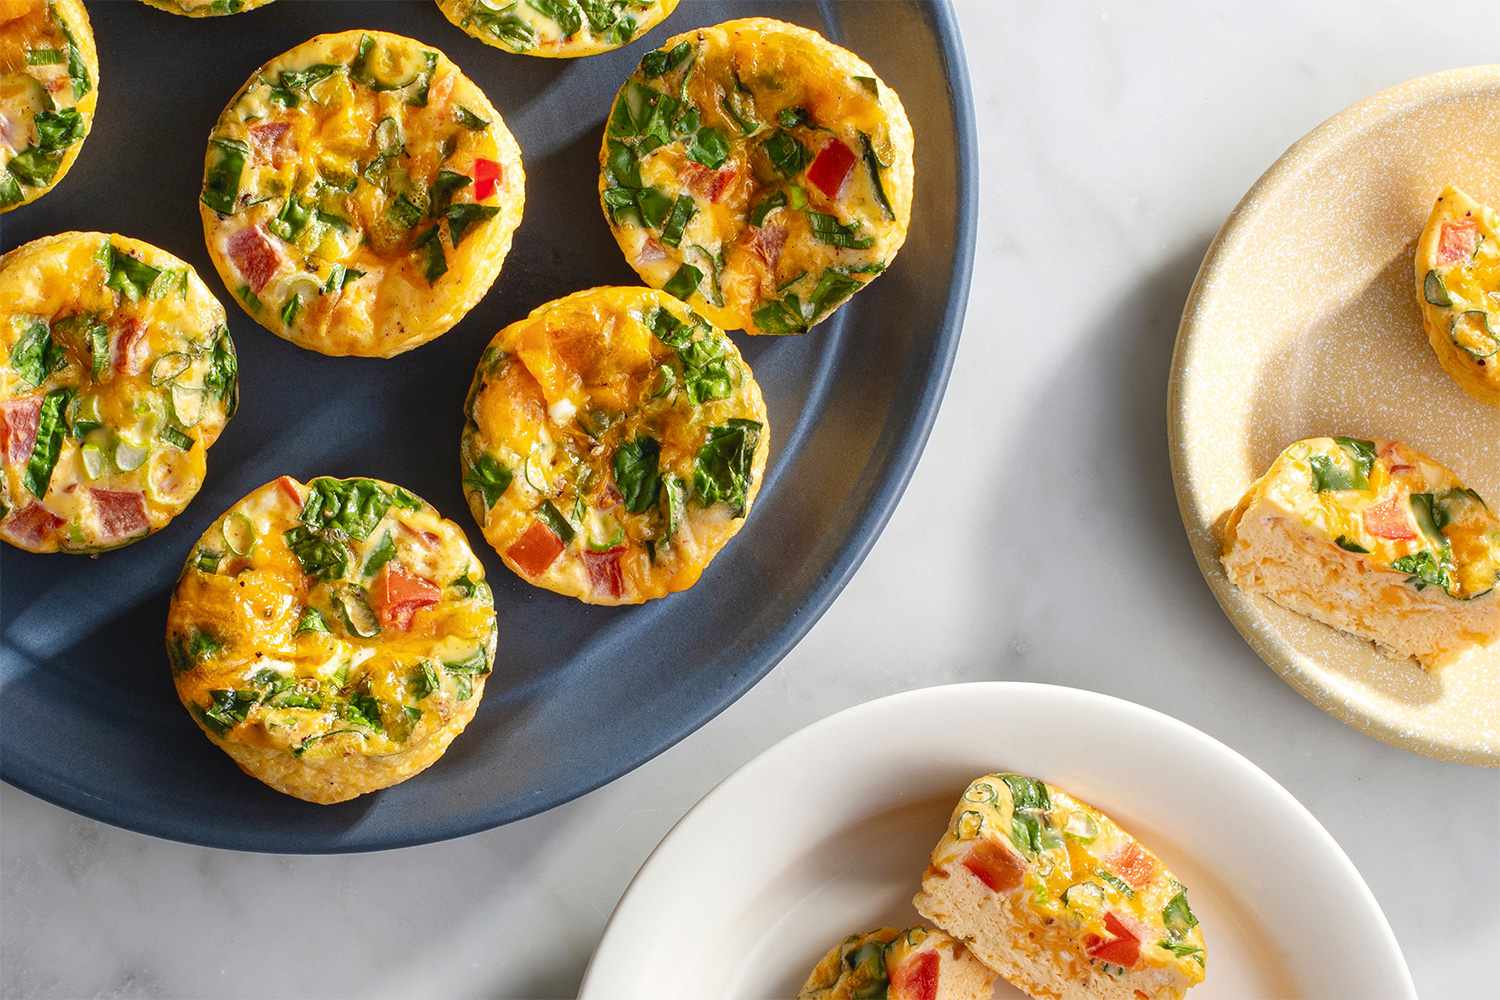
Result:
[{"x": 1304, "y": 322}]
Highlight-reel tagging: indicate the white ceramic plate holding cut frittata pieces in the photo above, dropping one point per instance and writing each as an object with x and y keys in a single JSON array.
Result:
[{"x": 829, "y": 833}]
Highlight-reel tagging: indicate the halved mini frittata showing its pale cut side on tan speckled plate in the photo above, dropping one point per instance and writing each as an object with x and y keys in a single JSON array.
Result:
[{"x": 1376, "y": 539}]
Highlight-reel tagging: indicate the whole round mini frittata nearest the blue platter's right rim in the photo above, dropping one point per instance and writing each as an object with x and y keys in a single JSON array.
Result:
[{"x": 760, "y": 173}]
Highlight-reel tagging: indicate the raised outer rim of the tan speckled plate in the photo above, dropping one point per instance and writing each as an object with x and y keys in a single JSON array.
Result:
[{"x": 1244, "y": 611}]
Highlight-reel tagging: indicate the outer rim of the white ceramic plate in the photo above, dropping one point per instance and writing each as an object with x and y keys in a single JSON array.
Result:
[{"x": 619, "y": 953}]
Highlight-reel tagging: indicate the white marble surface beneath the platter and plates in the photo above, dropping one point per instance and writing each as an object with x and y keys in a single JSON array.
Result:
[{"x": 1115, "y": 139}]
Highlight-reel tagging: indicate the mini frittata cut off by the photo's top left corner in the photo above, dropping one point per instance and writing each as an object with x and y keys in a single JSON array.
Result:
[{"x": 49, "y": 91}]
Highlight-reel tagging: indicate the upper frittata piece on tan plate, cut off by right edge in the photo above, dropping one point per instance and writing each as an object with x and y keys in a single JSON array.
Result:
[{"x": 1459, "y": 289}]
